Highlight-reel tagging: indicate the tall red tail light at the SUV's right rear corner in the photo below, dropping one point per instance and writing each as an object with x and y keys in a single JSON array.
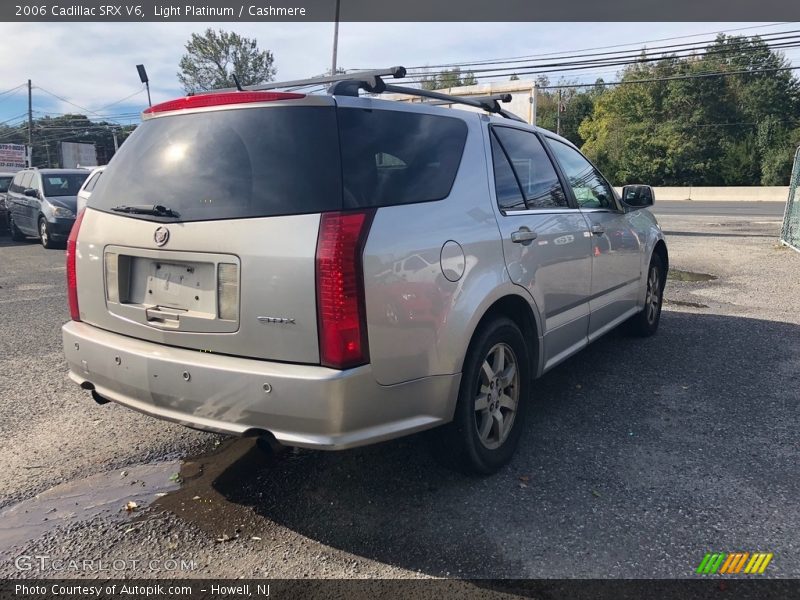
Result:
[{"x": 341, "y": 311}]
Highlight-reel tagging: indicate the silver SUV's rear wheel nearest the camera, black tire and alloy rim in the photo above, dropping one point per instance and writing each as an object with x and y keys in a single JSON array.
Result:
[{"x": 478, "y": 440}]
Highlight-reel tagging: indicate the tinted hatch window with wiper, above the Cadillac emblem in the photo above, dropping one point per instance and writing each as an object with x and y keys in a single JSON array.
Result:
[{"x": 228, "y": 164}]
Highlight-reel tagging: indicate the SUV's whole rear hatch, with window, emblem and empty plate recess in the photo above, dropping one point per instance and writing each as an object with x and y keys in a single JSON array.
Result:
[{"x": 226, "y": 263}]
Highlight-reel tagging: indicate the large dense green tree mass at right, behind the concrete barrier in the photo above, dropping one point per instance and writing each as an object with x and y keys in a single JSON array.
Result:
[{"x": 692, "y": 126}]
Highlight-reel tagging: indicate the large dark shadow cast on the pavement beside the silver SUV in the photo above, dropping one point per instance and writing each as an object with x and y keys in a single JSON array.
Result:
[{"x": 639, "y": 456}]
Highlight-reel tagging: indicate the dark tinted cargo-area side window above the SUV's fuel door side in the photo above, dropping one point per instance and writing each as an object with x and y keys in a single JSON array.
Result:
[{"x": 392, "y": 157}]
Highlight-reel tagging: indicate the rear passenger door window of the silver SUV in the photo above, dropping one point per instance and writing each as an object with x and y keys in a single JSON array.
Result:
[{"x": 535, "y": 173}]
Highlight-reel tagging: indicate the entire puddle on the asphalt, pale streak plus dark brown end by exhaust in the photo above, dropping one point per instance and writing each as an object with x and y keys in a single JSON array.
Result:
[{"x": 193, "y": 489}]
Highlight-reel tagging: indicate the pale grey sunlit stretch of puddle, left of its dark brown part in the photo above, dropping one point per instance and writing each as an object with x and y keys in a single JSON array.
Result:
[{"x": 105, "y": 494}]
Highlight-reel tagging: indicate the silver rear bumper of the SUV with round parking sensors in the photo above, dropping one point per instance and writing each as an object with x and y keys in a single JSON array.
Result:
[{"x": 307, "y": 406}]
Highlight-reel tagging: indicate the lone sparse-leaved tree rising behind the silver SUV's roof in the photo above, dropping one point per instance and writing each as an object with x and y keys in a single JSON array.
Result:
[{"x": 213, "y": 58}]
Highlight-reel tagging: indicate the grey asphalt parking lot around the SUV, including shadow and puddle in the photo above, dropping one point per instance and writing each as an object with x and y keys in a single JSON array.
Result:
[{"x": 639, "y": 457}]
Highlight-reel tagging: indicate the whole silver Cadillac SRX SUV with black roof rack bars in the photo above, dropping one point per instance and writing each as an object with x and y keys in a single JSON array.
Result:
[{"x": 337, "y": 270}]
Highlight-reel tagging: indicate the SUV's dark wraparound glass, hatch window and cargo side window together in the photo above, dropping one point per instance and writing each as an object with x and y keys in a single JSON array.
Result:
[{"x": 260, "y": 162}]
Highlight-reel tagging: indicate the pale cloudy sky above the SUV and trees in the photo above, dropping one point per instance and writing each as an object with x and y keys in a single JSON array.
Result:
[{"x": 93, "y": 64}]
